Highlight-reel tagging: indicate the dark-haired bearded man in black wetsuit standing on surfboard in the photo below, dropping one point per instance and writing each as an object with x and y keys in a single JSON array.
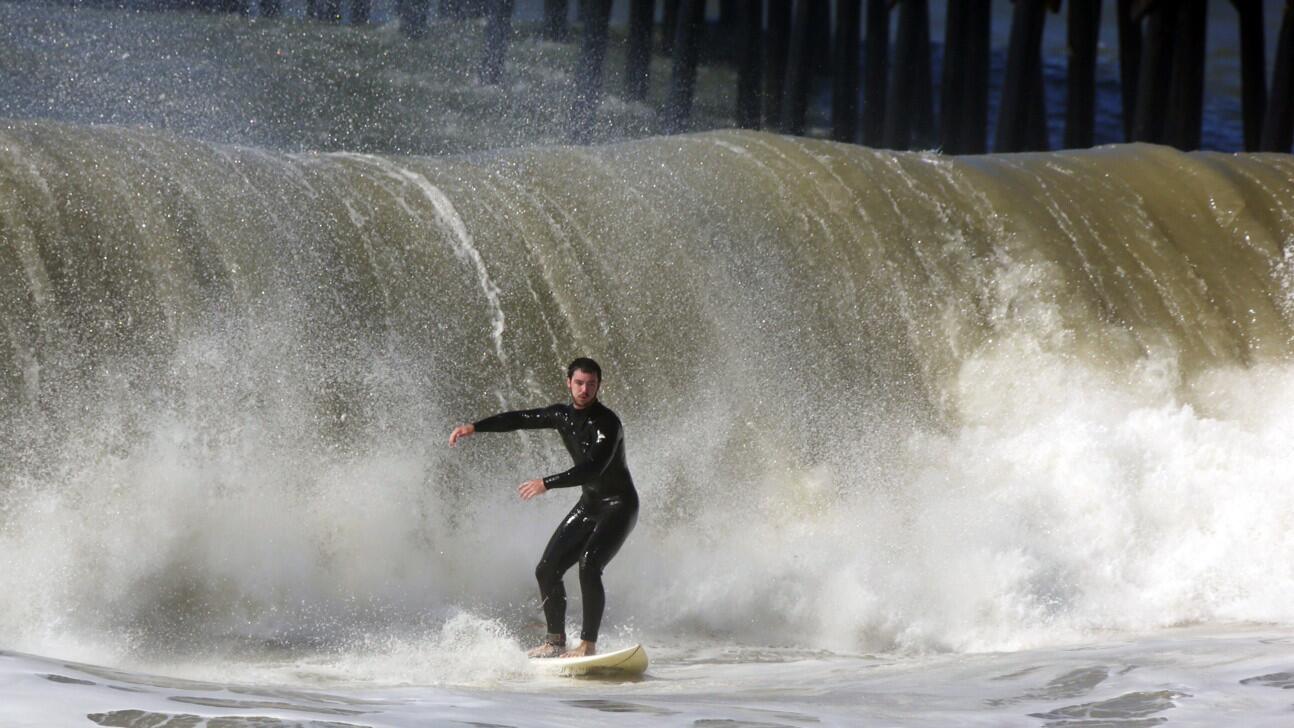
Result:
[{"x": 593, "y": 532}]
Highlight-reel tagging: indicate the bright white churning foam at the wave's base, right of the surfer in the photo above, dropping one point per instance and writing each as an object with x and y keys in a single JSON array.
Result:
[{"x": 1075, "y": 501}]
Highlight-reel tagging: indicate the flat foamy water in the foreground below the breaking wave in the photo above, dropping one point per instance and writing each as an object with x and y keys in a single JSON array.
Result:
[{"x": 1177, "y": 678}]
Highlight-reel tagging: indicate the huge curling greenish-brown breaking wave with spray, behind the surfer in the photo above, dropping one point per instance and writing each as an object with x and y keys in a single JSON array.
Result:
[{"x": 874, "y": 401}]
